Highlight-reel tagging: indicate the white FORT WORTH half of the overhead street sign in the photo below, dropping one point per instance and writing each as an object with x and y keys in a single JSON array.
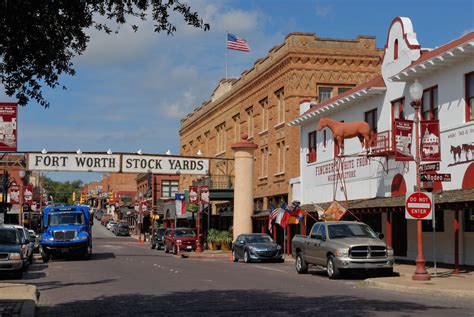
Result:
[{"x": 69, "y": 162}]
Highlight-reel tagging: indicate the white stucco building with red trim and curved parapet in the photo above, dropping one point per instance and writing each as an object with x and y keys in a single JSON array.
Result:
[{"x": 376, "y": 185}]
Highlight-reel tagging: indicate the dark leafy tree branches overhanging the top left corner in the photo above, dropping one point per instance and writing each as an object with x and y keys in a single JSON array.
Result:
[{"x": 39, "y": 38}]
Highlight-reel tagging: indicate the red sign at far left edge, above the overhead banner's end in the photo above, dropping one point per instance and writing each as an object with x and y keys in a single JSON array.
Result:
[{"x": 8, "y": 126}]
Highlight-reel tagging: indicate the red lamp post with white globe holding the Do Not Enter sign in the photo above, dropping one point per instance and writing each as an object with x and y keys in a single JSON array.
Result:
[{"x": 416, "y": 92}]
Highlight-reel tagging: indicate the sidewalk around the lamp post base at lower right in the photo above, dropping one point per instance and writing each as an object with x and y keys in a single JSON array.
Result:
[{"x": 444, "y": 283}]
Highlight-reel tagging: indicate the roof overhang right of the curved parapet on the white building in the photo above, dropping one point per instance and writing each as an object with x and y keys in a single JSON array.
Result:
[{"x": 435, "y": 63}]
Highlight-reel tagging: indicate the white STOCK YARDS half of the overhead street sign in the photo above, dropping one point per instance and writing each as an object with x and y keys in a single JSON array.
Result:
[{"x": 164, "y": 165}]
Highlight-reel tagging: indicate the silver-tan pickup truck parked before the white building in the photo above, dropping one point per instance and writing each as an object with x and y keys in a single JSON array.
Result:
[{"x": 341, "y": 245}]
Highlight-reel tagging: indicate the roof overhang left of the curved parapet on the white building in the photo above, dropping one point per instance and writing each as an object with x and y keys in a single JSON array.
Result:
[{"x": 337, "y": 105}]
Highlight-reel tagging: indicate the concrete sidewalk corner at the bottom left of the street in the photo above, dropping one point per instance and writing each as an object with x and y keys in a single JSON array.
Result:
[{"x": 18, "y": 299}]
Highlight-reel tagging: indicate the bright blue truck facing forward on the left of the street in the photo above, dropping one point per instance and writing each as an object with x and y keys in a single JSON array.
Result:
[{"x": 67, "y": 230}]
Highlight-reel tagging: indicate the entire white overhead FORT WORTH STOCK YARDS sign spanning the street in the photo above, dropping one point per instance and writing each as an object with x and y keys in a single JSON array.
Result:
[{"x": 116, "y": 163}]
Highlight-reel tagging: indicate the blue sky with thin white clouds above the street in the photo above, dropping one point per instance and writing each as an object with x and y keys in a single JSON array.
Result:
[{"x": 131, "y": 89}]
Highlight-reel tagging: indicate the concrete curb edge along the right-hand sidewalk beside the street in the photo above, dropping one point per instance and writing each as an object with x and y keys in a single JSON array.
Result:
[{"x": 417, "y": 290}]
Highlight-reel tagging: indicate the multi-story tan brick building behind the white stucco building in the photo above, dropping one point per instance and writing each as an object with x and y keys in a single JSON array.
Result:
[{"x": 265, "y": 98}]
